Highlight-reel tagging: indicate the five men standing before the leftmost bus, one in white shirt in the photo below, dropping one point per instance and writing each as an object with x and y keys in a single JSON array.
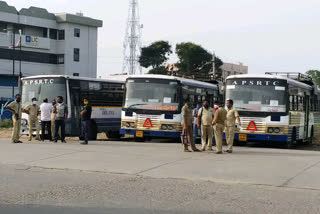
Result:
[{"x": 53, "y": 119}]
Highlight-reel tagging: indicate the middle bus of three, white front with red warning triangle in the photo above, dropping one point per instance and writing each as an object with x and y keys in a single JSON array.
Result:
[{"x": 153, "y": 103}]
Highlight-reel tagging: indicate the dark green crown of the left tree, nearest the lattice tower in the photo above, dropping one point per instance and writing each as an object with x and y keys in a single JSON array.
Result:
[{"x": 155, "y": 55}]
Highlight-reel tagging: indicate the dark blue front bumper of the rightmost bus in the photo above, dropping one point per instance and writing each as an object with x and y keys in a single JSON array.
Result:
[{"x": 262, "y": 138}]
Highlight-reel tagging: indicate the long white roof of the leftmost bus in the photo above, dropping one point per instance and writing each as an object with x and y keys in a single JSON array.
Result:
[{"x": 114, "y": 79}]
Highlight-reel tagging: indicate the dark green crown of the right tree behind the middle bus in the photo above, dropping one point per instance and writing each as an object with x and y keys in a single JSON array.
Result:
[{"x": 193, "y": 58}]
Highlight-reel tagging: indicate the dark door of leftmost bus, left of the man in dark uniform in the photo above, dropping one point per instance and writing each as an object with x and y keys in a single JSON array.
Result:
[{"x": 75, "y": 109}]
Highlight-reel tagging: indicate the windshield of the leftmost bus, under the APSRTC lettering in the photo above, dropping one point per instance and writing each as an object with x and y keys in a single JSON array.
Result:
[{"x": 43, "y": 88}]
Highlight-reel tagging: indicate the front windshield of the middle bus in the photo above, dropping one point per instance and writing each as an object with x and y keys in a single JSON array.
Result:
[{"x": 152, "y": 94}]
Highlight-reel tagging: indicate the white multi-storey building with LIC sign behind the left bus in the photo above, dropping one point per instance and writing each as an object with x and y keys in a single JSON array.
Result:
[{"x": 50, "y": 44}]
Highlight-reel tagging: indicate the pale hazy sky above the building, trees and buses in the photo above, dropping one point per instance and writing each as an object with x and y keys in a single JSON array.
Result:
[{"x": 266, "y": 35}]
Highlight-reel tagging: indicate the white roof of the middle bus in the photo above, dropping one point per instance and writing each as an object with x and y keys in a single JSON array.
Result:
[{"x": 182, "y": 80}]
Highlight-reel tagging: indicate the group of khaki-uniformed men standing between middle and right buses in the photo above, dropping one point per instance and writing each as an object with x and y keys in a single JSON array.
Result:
[{"x": 211, "y": 122}]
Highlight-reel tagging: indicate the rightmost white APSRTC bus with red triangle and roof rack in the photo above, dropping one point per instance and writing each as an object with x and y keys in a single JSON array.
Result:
[{"x": 276, "y": 107}]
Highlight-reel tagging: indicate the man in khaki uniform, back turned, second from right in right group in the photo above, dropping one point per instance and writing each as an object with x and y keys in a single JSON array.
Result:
[{"x": 219, "y": 121}]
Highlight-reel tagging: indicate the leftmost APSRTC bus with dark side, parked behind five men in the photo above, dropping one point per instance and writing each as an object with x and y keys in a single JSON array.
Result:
[{"x": 105, "y": 95}]
